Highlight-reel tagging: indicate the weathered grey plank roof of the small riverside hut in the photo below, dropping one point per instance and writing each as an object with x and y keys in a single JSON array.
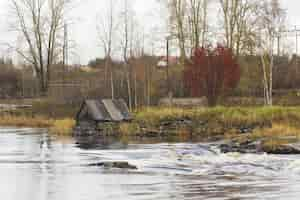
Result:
[{"x": 105, "y": 110}]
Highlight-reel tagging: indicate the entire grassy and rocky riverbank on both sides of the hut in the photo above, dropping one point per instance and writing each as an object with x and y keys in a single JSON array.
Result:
[{"x": 272, "y": 127}]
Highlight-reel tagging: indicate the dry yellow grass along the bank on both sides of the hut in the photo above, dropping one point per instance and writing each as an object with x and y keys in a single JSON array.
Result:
[{"x": 284, "y": 119}]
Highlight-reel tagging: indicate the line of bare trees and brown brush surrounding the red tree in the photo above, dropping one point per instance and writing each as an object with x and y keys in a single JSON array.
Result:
[{"x": 131, "y": 66}]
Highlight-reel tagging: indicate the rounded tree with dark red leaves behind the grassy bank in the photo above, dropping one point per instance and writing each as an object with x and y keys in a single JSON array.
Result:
[{"x": 211, "y": 73}]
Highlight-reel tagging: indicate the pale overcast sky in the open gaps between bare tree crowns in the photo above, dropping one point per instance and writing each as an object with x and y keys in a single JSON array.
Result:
[{"x": 83, "y": 31}]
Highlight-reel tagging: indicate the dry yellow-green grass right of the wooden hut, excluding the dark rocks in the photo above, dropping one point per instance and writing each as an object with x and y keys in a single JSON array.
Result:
[{"x": 229, "y": 119}]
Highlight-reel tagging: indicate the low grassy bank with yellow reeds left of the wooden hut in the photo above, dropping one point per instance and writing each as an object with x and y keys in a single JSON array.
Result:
[{"x": 58, "y": 118}]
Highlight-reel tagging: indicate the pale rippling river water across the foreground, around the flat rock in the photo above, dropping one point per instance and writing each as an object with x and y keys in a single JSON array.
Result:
[{"x": 34, "y": 166}]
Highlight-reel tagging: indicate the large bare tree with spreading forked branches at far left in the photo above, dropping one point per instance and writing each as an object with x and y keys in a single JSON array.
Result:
[{"x": 40, "y": 22}]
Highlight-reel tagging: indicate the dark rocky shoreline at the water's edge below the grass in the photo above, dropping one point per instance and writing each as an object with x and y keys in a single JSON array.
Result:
[{"x": 188, "y": 130}]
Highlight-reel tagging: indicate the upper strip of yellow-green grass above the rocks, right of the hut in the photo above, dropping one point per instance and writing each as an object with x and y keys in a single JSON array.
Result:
[{"x": 228, "y": 117}]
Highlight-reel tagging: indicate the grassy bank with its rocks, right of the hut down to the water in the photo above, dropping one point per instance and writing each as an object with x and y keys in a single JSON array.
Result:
[{"x": 273, "y": 125}]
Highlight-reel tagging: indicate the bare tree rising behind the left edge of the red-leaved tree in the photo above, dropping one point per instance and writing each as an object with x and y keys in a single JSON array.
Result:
[{"x": 188, "y": 23}]
